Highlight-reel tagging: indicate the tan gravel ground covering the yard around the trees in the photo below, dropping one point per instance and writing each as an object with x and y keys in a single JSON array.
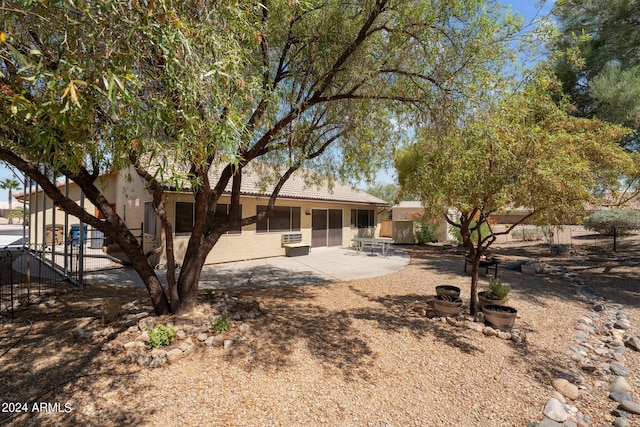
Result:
[{"x": 352, "y": 353}]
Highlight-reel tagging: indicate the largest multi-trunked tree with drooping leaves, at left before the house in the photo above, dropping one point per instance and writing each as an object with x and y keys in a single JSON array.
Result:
[{"x": 174, "y": 89}]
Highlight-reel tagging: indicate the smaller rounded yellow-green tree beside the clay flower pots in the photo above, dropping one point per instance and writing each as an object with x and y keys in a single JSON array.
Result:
[{"x": 517, "y": 150}]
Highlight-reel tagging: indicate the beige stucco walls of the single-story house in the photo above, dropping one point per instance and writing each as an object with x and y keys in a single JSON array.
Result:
[{"x": 128, "y": 194}]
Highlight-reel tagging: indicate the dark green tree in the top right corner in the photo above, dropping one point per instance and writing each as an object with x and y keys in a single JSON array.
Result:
[{"x": 600, "y": 63}]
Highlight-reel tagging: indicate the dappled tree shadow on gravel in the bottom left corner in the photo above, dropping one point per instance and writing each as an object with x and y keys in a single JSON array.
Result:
[{"x": 51, "y": 365}]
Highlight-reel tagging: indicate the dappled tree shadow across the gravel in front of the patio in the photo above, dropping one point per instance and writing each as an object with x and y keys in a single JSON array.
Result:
[{"x": 332, "y": 337}]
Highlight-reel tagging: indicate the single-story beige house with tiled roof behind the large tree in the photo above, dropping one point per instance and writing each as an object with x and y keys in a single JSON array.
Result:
[{"x": 318, "y": 215}]
